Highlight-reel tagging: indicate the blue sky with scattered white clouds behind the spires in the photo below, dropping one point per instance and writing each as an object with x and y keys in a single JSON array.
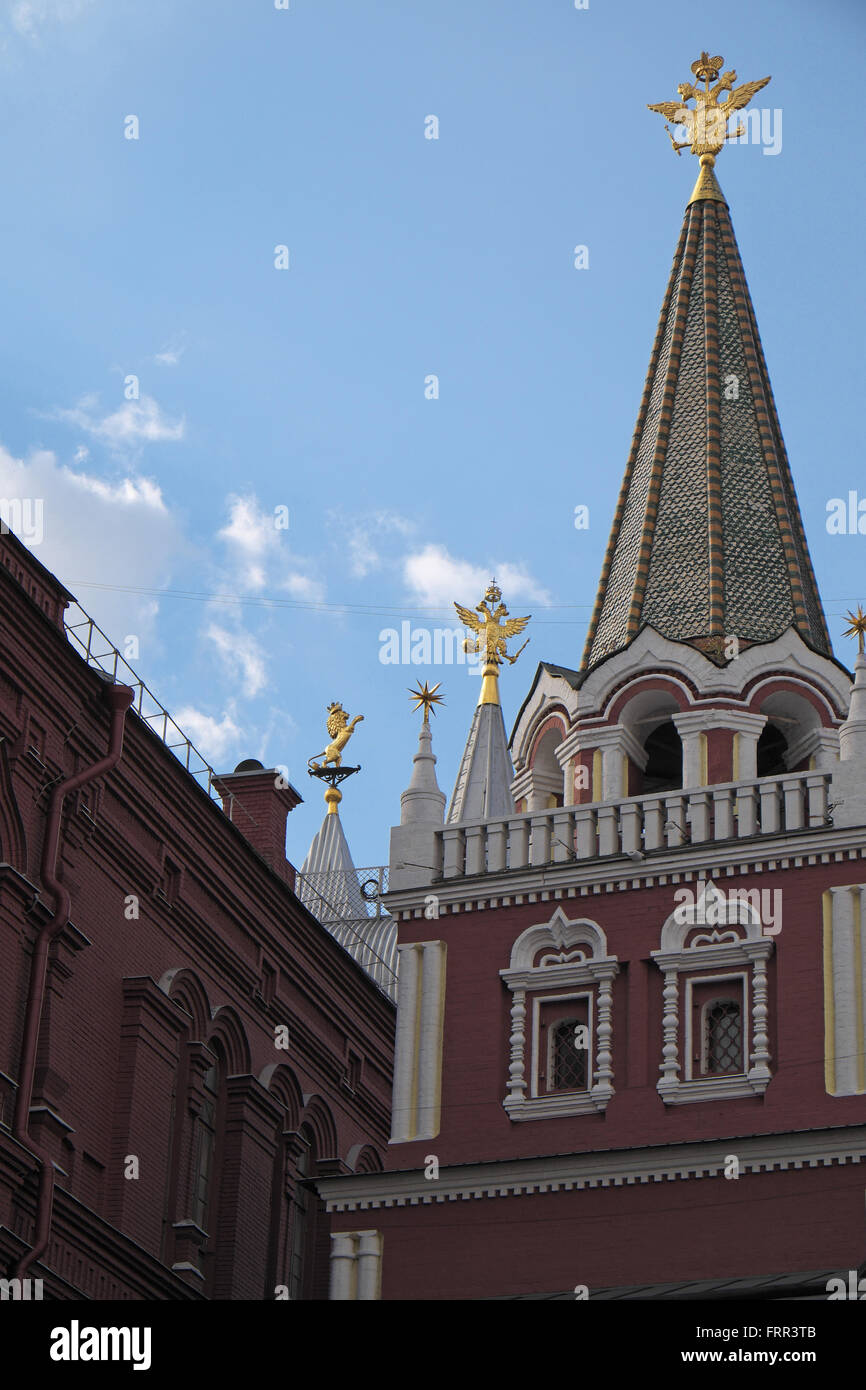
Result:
[{"x": 305, "y": 389}]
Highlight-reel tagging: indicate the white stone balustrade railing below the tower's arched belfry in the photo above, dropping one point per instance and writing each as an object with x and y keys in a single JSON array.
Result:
[{"x": 636, "y": 825}]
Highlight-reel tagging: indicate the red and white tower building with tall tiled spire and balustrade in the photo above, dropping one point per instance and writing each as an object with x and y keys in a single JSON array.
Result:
[{"x": 630, "y": 1052}]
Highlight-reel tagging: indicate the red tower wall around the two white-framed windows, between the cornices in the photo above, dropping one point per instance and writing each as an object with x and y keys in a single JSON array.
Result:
[{"x": 477, "y": 1027}]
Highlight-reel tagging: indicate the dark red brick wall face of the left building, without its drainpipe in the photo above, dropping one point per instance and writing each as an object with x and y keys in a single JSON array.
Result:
[{"x": 133, "y": 1004}]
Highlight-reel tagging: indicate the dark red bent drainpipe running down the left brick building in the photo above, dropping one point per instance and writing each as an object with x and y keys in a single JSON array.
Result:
[{"x": 120, "y": 700}]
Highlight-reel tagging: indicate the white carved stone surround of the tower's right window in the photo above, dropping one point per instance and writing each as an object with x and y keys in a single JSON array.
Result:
[{"x": 717, "y": 935}]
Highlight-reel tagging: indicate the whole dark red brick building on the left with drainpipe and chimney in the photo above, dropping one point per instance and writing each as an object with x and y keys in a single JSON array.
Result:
[{"x": 184, "y": 1049}]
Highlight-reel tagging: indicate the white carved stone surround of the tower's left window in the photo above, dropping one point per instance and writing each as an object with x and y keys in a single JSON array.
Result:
[{"x": 559, "y": 960}]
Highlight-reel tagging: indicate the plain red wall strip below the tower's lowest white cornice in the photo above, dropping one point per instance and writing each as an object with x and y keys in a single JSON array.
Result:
[{"x": 621, "y": 1236}]
